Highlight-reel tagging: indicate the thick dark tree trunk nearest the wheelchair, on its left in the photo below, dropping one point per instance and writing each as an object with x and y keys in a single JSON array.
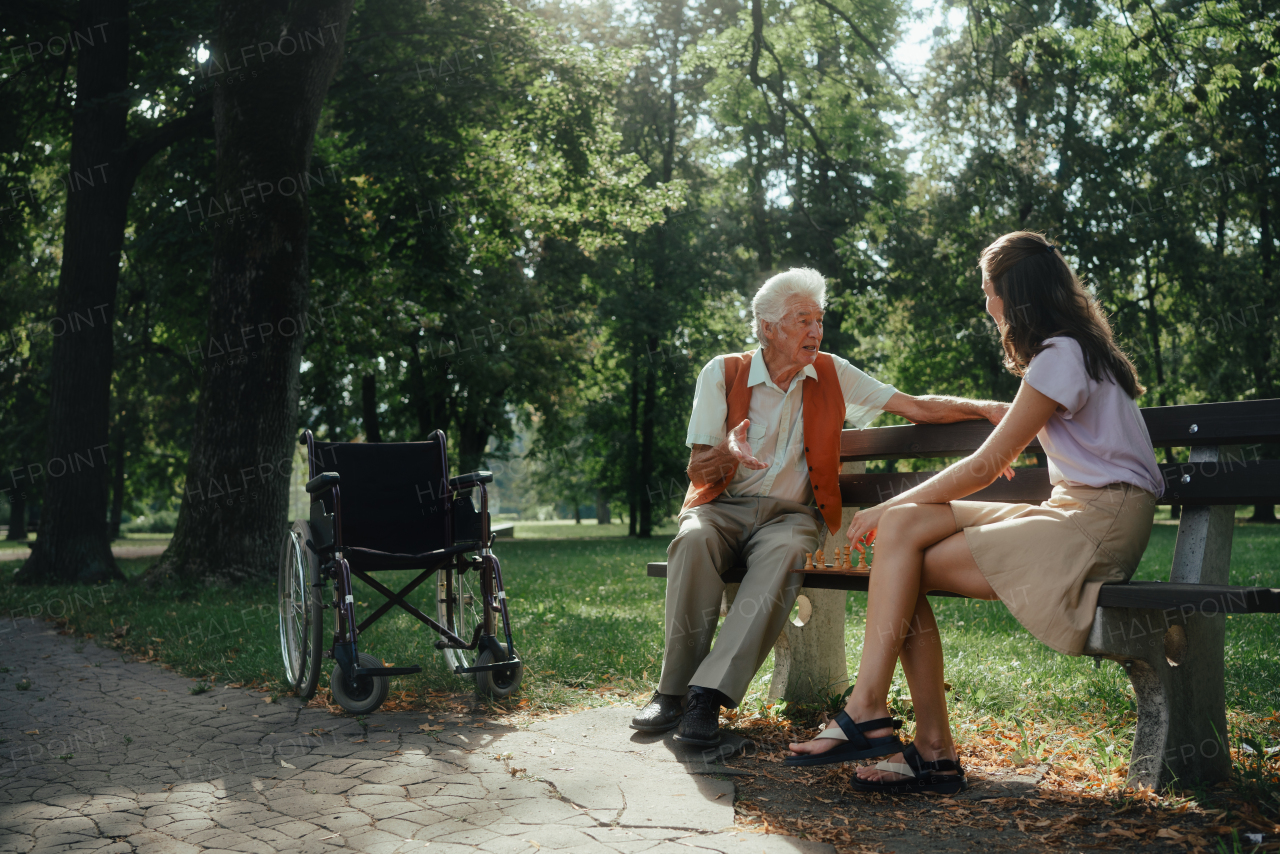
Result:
[{"x": 237, "y": 491}]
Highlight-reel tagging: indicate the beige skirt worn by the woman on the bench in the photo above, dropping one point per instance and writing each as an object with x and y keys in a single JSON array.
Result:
[{"x": 1046, "y": 563}]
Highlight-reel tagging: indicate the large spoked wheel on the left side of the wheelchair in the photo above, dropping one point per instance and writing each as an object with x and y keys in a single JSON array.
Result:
[{"x": 301, "y": 614}]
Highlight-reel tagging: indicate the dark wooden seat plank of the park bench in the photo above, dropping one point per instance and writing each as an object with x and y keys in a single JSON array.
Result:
[{"x": 1186, "y": 599}]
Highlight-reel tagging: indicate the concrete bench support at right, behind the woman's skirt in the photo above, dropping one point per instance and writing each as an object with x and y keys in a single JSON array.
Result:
[{"x": 1176, "y": 661}]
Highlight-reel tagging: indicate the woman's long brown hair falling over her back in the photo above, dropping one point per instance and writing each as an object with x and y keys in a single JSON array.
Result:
[{"x": 1044, "y": 299}]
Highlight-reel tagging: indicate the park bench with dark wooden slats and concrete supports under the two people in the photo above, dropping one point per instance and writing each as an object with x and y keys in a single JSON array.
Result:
[{"x": 1169, "y": 637}]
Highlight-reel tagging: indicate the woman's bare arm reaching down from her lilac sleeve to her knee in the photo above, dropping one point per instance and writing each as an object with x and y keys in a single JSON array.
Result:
[{"x": 1028, "y": 415}]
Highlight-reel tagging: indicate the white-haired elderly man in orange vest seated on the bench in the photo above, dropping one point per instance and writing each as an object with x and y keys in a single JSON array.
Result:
[{"x": 764, "y": 490}]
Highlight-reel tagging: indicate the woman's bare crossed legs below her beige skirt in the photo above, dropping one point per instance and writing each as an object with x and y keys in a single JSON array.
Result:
[{"x": 918, "y": 550}]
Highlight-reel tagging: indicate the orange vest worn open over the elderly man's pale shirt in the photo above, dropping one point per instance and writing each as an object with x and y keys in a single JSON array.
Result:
[{"x": 824, "y": 421}]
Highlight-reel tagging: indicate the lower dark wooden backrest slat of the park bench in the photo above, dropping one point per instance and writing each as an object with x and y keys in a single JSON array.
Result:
[{"x": 1231, "y": 482}]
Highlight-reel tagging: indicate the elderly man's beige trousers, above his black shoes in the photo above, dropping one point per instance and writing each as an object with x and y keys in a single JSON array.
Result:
[{"x": 767, "y": 535}]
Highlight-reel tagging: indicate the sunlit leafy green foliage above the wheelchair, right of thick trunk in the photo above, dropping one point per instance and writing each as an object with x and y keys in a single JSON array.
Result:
[{"x": 472, "y": 149}]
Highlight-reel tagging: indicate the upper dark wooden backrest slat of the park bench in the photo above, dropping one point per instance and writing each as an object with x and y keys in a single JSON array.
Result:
[{"x": 1171, "y": 427}]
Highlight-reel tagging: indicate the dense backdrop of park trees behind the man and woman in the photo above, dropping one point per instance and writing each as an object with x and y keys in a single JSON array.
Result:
[{"x": 531, "y": 225}]
